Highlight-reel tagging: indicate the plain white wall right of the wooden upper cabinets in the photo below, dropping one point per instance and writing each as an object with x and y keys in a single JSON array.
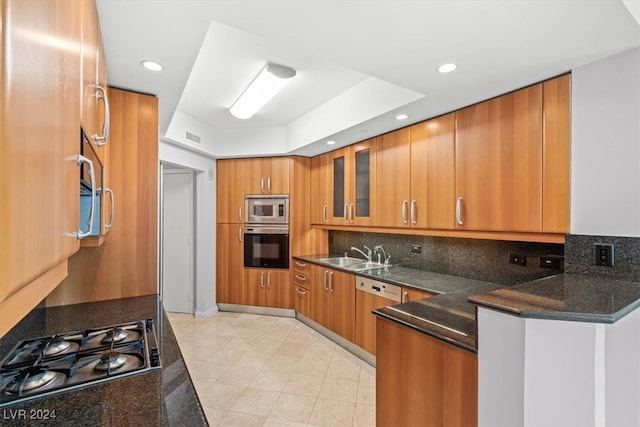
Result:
[{"x": 605, "y": 175}]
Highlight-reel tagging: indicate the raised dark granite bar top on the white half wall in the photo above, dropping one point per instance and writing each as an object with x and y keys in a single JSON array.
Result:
[{"x": 565, "y": 297}]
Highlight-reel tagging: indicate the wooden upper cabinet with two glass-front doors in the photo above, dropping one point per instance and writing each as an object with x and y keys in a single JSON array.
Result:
[{"x": 353, "y": 184}]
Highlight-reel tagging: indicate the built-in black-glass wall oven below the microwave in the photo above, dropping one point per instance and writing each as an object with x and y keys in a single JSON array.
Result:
[{"x": 266, "y": 246}]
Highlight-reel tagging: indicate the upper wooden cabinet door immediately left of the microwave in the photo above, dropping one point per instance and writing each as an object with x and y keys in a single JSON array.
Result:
[{"x": 230, "y": 191}]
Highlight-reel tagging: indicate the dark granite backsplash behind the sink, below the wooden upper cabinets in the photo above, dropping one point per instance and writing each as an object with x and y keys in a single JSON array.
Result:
[{"x": 471, "y": 258}]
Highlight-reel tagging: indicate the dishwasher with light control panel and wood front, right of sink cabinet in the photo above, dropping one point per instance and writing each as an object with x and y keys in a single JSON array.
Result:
[{"x": 371, "y": 294}]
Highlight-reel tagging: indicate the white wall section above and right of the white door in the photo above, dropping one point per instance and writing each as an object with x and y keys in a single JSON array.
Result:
[{"x": 205, "y": 226}]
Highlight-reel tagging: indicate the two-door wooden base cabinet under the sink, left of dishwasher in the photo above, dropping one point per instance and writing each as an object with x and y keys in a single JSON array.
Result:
[{"x": 334, "y": 301}]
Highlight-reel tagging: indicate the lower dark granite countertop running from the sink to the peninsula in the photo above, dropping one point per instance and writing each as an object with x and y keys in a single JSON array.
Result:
[{"x": 447, "y": 316}]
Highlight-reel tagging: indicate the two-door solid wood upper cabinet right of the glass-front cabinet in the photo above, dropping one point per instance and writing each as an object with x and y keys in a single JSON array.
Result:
[{"x": 415, "y": 176}]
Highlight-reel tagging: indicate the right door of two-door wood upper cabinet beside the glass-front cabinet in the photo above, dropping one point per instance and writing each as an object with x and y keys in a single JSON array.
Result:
[{"x": 433, "y": 173}]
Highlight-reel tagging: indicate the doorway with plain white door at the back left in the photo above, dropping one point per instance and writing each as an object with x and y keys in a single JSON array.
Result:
[{"x": 177, "y": 240}]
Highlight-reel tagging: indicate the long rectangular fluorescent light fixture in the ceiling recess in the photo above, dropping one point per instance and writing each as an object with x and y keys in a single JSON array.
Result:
[{"x": 265, "y": 86}]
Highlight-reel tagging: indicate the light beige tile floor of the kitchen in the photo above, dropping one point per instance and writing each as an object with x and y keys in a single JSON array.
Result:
[{"x": 253, "y": 370}]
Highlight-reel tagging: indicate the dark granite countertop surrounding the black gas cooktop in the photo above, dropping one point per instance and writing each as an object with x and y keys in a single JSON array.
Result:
[{"x": 161, "y": 397}]
